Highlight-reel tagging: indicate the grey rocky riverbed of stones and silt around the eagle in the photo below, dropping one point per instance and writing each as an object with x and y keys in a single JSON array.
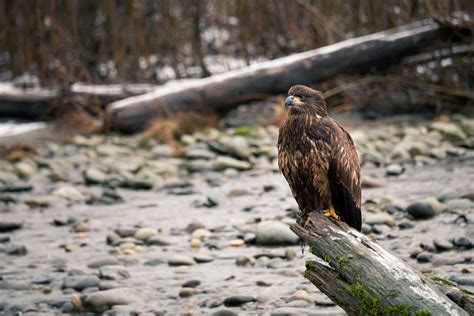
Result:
[{"x": 112, "y": 223}]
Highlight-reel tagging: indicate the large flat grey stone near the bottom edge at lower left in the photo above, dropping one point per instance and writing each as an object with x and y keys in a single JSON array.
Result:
[{"x": 104, "y": 300}]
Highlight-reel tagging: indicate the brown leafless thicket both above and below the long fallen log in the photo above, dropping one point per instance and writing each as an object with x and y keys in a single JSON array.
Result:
[{"x": 59, "y": 43}]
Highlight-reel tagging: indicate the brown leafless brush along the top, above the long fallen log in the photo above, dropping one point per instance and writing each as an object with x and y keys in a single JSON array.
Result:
[{"x": 112, "y": 41}]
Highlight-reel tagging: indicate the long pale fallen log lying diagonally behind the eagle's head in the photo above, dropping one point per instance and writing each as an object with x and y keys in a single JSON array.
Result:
[{"x": 224, "y": 91}]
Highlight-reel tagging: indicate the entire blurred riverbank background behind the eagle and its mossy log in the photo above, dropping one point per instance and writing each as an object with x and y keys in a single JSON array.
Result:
[{"x": 136, "y": 167}]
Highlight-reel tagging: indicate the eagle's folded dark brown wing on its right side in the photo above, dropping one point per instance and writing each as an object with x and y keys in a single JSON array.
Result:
[{"x": 344, "y": 175}]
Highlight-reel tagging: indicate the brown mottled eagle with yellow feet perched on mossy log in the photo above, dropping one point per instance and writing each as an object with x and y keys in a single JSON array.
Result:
[{"x": 318, "y": 159}]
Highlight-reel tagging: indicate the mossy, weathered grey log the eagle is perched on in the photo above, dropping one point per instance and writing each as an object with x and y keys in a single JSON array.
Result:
[{"x": 363, "y": 278}]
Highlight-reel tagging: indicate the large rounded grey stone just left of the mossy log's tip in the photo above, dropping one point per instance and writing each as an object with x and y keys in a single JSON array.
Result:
[{"x": 273, "y": 233}]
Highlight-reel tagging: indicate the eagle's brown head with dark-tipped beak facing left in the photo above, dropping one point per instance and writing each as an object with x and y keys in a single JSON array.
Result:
[{"x": 304, "y": 100}]
